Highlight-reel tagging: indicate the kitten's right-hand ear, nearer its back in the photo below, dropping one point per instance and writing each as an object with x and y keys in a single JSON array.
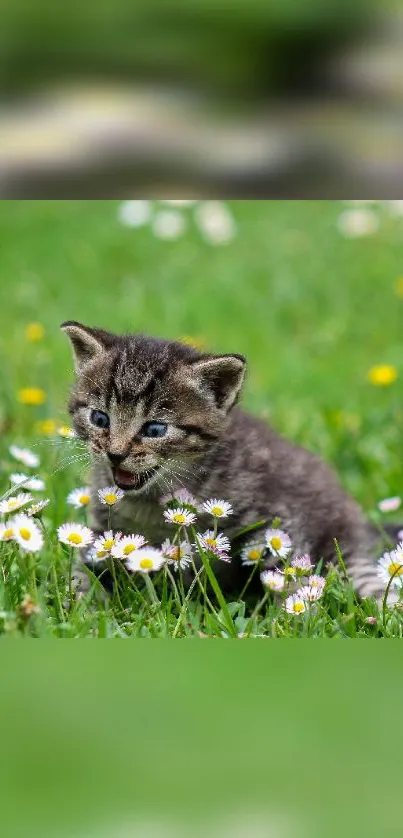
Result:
[{"x": 222, "y": 376}]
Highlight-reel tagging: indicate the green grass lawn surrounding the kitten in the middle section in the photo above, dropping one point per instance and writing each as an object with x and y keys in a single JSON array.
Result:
[{"x": 311, "y": 310}]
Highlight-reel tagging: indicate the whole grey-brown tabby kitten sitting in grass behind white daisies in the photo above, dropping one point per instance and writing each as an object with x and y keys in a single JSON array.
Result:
[{"x": 158, "y": 415}]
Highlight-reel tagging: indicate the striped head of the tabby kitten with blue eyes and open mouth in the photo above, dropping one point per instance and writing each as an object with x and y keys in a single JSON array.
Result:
[{"x": 149, "y": 405}]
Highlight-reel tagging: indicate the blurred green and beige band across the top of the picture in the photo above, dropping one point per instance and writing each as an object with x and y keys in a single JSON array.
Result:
[{"x": 235, "y": 99}]
